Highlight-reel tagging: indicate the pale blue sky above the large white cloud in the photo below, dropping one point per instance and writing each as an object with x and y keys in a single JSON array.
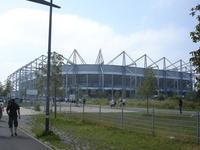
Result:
[{"x": 125, "y": 16}]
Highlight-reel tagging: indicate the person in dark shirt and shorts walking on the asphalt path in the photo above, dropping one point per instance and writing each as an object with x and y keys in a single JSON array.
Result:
[{"x": 13, "y": 111}]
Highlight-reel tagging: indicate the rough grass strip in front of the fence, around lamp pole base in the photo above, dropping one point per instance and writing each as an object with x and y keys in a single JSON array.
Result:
[{"x": 103, "y": 136}]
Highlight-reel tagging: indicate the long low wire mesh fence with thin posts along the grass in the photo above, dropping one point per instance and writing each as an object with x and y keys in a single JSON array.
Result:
[{"x": 169, "y": 123}]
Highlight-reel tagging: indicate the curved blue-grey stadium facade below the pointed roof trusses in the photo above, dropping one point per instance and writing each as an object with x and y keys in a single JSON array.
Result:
[{"x": 111, "y": 77}]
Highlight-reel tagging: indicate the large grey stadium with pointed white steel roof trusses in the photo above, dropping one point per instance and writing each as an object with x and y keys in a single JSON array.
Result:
[{"x": 108, "y": 78}]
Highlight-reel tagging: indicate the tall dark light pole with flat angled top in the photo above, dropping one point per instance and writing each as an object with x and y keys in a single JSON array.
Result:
[{"x": 50, "y": 4}]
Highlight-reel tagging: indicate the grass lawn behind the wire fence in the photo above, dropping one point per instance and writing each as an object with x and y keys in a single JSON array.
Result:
[{"x": 176, "y": 125}]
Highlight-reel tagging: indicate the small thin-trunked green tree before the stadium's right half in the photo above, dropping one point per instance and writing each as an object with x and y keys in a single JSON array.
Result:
[{"x": 148, "y": 86}]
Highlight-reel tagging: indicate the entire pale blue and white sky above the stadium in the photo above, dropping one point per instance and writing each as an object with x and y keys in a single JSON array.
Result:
[{"x": 158, "y": 28}]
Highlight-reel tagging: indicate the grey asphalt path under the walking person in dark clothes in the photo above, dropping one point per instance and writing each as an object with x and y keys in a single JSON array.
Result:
[{"x": 20, "y": 142}]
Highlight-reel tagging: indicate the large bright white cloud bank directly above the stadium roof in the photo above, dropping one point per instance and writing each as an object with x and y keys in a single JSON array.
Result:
[{"x": 24, "y": 35}]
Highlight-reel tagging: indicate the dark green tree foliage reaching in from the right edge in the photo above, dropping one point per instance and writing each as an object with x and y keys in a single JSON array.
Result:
[{"x": 195, "y": 35}]
